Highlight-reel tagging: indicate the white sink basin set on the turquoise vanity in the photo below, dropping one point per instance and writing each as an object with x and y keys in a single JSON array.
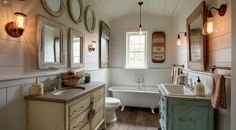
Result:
[{"x": 176, "y": 90}]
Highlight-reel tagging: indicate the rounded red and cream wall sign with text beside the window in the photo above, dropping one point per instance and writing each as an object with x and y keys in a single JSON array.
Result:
[{"x": 158, "y": 47}]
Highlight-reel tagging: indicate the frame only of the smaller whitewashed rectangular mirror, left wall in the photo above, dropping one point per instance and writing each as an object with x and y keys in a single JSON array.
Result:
[{"x": 73, "y": 32}]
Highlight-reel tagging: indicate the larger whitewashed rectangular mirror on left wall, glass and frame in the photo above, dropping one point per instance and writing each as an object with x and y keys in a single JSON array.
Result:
[{"x": 51, "y": 43}]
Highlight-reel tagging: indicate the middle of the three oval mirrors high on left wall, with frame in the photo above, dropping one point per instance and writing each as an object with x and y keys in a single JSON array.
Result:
[{"x": 76, "y": 10}]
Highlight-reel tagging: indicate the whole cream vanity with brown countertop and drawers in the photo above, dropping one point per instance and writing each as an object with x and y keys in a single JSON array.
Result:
[{"x": 81, "y": 108}]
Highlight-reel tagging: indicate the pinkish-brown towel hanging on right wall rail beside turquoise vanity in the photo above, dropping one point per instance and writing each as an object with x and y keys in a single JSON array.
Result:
[{"x": 218, "y": 95}]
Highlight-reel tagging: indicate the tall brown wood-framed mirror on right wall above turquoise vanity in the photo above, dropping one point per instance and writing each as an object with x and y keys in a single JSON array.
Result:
[{"x": 196, "y": 40}]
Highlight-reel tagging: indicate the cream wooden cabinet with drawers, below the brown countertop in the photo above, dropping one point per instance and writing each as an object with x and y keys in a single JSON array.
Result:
[{"x": 72, "y": 115}]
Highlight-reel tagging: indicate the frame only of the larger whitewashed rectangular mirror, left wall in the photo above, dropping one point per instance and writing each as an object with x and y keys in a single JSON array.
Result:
[{"x": 42, "y": 21}]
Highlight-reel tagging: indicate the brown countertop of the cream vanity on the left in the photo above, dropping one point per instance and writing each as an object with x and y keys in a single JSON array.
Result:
[{"x": 63, "y": 98}]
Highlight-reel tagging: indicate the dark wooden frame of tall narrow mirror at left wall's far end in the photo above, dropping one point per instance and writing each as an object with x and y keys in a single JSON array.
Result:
[{"x": 104, "y": 32}]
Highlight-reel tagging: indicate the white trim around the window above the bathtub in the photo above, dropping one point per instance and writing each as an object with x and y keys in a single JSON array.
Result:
[{"x": 145, "y": 49}]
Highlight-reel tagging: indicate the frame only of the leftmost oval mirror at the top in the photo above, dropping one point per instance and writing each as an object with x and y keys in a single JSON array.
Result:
[{"x": 51, "y": 12}]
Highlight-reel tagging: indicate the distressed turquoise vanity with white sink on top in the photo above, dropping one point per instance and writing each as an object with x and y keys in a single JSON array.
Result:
[{"x": 181, "y": 110}]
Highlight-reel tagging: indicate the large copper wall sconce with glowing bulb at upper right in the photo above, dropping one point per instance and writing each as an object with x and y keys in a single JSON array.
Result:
[{"x": 208, "y": 25}]
